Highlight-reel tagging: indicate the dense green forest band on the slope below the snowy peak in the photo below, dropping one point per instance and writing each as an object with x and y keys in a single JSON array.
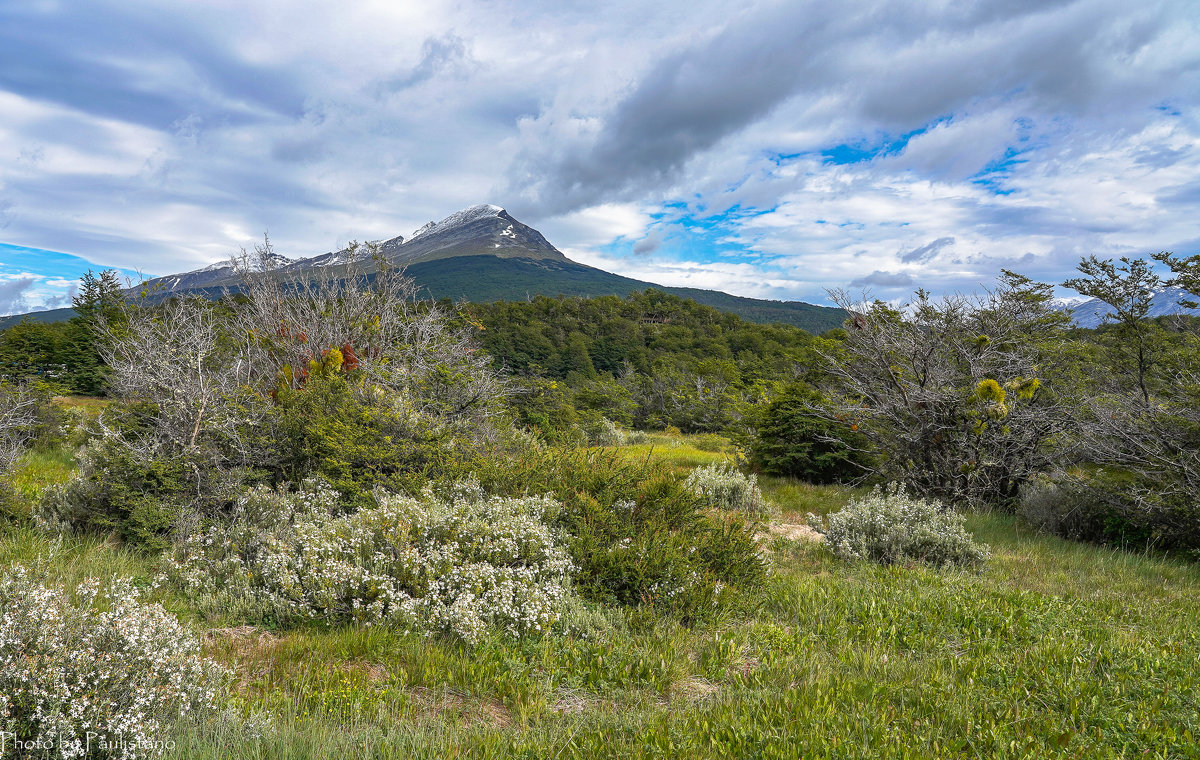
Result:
[{"x": 649, "y": 361}]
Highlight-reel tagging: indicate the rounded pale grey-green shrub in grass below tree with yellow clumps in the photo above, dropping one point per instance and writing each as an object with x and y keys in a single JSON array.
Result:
[{"x": 890, "y": 526}]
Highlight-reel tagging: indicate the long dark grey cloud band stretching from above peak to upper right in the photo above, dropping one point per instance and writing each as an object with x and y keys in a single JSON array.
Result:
[{"x": 891, "y": 67}]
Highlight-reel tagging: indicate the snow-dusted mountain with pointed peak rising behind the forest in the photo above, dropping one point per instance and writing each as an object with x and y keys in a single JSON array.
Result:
[{"x": 483, "y": 255}]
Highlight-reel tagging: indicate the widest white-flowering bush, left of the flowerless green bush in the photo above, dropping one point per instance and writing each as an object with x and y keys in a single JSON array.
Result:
[{"x": 458, "y": 564}]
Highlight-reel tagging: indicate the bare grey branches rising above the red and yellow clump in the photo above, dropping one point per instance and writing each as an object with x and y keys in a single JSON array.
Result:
[{"x": 370, "y": 315}]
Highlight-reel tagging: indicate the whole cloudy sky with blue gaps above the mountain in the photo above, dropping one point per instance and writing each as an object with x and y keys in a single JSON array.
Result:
[{"x": 767, "y": 149}]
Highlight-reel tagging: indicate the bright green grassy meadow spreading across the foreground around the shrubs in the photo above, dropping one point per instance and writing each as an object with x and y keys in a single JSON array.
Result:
[{"x": 1055, "y": 650}]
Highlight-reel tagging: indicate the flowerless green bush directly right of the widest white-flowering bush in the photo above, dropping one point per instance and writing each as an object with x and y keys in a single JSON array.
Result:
[{"x": 637, "y": 535}]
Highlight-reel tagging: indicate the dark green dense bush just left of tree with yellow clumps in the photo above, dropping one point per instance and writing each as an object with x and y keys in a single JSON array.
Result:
[{"x": 793, "y": 441}]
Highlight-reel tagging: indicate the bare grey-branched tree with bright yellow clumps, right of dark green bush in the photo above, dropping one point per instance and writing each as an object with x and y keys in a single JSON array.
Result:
[{"x": 952, "y": 394}]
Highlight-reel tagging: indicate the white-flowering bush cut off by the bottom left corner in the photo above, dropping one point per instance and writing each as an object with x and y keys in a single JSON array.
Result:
[{"x": 77, "y": 681}]
